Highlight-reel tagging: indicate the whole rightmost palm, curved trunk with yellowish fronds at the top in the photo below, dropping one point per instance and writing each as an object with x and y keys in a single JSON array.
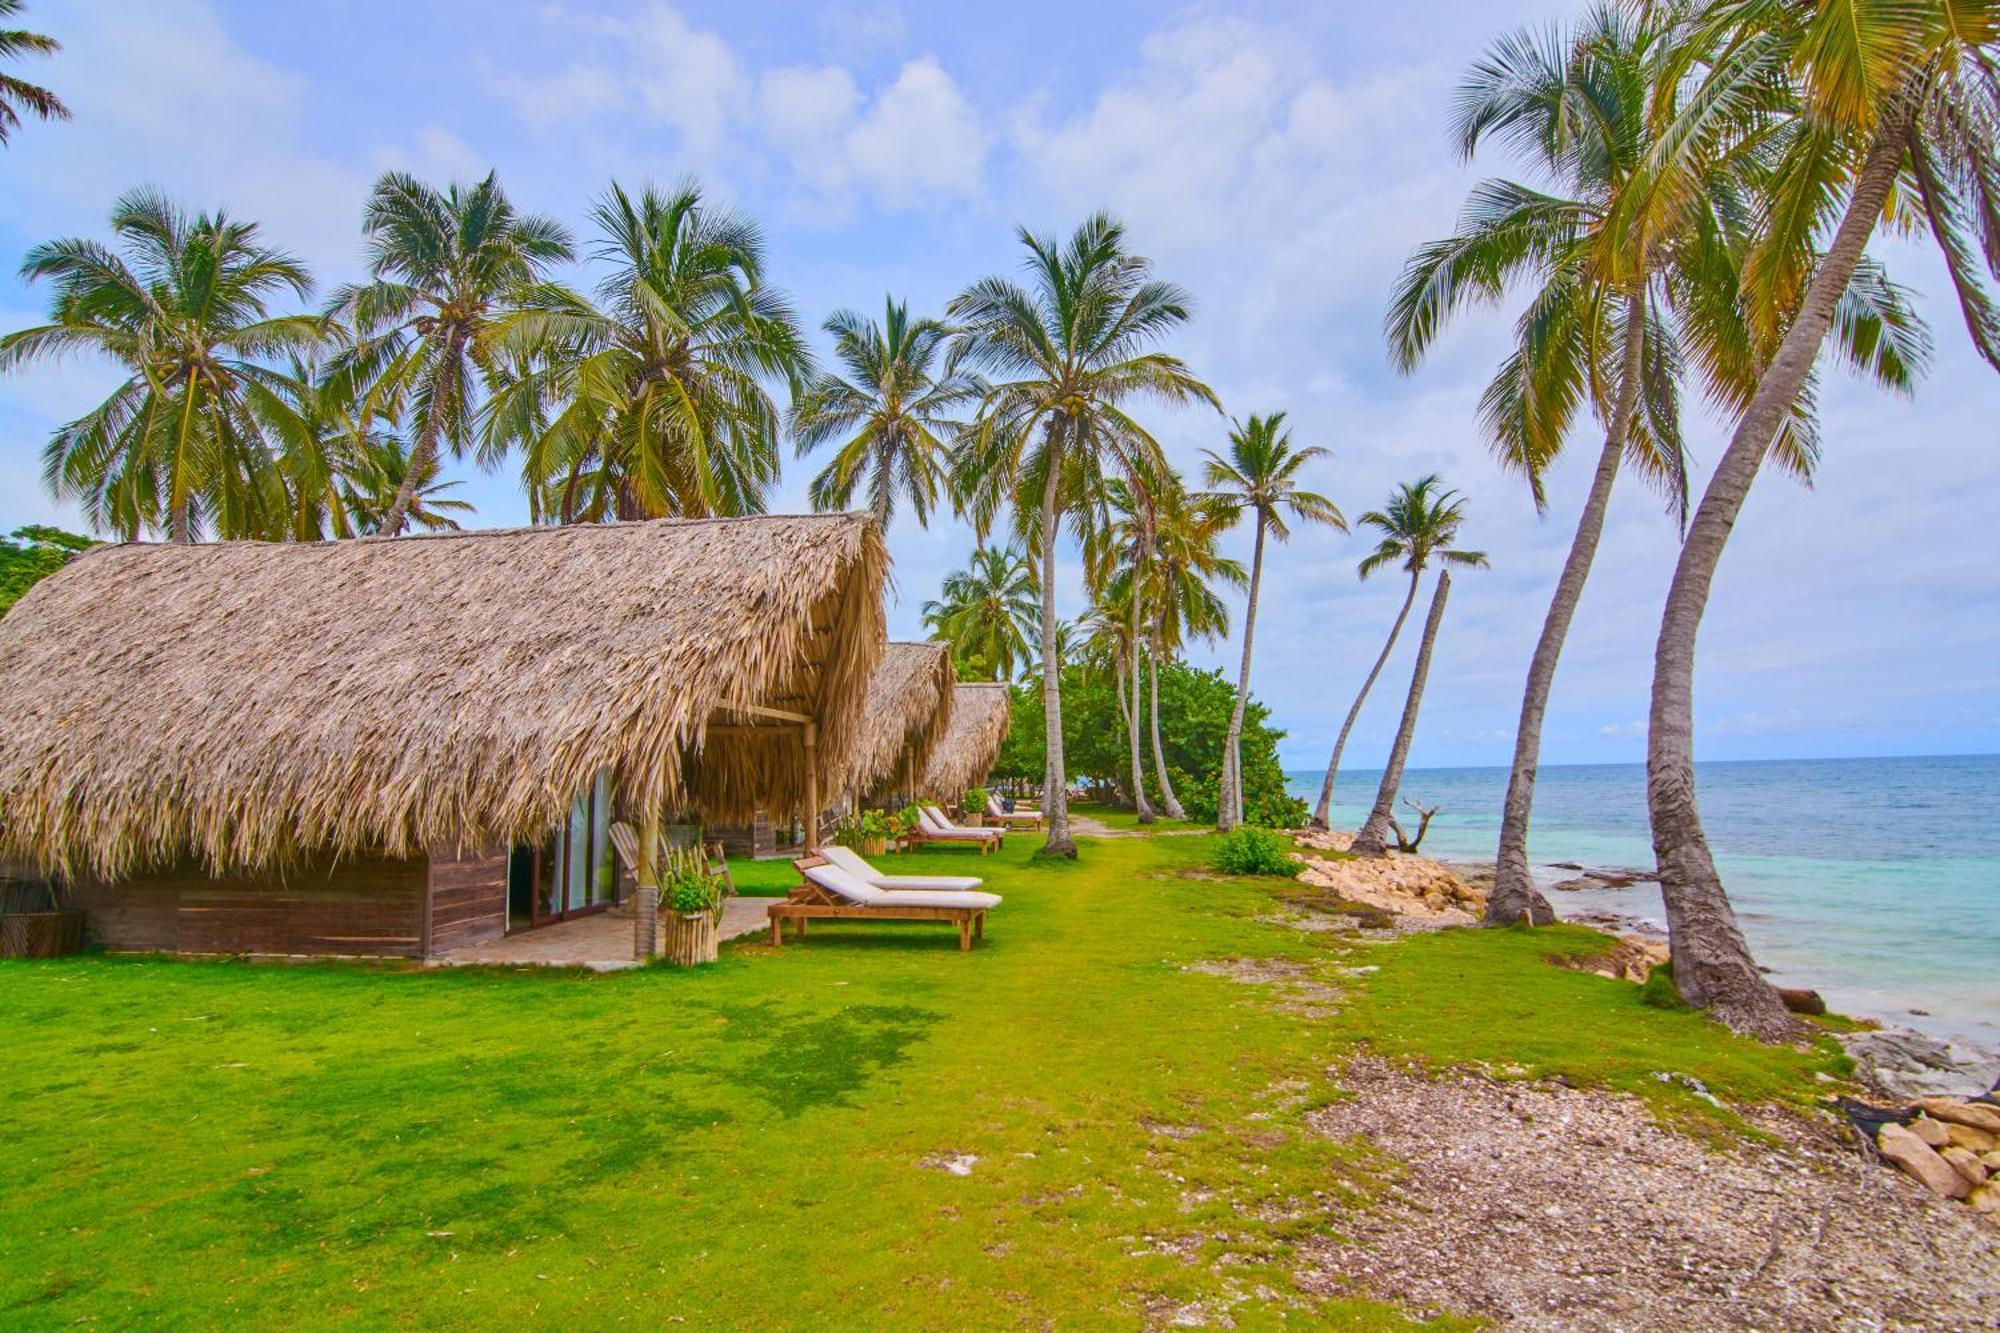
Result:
[{"x": 1889, "y": 97}]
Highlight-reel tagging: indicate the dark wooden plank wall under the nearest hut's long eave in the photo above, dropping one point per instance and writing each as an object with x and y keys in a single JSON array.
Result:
[{"x": 357, "y": 906}]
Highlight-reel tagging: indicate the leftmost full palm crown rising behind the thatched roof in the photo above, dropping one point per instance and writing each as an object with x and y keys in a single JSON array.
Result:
[{"x": 185, "y": 307}]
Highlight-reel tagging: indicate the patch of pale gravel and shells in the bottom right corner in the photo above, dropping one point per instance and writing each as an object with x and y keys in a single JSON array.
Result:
[{"x": 1549, "y": 1208}]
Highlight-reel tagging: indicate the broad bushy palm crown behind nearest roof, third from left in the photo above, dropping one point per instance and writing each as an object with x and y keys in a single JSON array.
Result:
[{"x": 653, "y": 399}]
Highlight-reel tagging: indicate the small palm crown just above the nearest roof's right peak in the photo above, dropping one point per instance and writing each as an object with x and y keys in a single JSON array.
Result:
[{"x": 897, "y": 405}]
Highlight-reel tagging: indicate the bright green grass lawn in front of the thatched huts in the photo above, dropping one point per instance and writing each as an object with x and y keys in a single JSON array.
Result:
[{"x": 747, "y": 1146}]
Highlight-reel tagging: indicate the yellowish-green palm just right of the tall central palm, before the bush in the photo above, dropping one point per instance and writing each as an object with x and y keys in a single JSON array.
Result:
[{"x": 1183, "y": 597}]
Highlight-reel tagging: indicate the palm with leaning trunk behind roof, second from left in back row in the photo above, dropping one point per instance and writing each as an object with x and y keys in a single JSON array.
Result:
[{"x": 443, "y": 267}]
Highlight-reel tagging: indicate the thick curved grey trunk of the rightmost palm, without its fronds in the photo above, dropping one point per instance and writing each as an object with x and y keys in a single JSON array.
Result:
[{"x": 1713, "y": 964}]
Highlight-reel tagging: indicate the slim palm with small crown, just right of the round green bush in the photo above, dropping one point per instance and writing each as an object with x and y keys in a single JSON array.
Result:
[{"x": 1263, "y": 477}]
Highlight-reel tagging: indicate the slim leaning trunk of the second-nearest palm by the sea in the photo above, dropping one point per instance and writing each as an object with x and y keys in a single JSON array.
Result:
[{"x": 1515, "y": 896}]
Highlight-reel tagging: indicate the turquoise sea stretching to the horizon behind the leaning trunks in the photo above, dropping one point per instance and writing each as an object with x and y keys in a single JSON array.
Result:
[{"x": 1875, "y": 882}]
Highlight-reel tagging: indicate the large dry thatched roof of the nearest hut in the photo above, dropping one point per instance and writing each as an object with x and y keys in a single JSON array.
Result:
[{"x": 253, "y": 700}]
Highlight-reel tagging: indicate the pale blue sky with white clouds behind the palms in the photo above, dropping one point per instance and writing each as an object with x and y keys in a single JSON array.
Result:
[{"x": 1279, "y": 161}]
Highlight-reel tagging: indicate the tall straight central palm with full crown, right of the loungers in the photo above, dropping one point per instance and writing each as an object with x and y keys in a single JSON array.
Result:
[{"x": 1071, "y": 355}]
